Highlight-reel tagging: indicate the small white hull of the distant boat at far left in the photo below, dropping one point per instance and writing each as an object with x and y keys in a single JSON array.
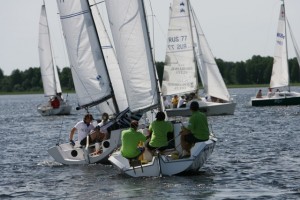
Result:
[{"x": 47, "y": 110}]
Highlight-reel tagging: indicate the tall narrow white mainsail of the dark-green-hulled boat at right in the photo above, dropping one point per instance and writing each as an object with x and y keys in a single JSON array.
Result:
[{"x": 280, "y": 74}]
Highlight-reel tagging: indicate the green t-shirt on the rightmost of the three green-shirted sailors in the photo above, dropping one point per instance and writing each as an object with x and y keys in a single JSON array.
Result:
[{"x": 198, "y": 125}]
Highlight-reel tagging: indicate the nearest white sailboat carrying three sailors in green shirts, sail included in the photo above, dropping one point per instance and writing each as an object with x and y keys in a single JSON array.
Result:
[{"x": 130, "y": 33}]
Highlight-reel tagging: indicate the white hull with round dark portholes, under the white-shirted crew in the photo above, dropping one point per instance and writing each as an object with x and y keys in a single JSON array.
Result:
[{"x": 69, "y": 155}]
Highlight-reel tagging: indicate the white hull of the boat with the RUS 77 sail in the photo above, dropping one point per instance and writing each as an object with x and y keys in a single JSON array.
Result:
[{"x": 209, "y": 108}]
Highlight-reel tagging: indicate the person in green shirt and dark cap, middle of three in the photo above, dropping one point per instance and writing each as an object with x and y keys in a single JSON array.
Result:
[{"x": 159, "y": 131}]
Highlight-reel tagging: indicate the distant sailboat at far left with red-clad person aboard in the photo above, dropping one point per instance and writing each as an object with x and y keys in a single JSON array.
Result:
[{"x": 49, "y": 73}]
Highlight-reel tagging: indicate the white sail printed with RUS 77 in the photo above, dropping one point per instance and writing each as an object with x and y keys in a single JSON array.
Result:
[{"x": 180, "y": 75}]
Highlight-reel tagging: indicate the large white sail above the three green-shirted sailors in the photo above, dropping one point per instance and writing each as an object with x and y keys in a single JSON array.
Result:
[{"x": 129, "y": 30}]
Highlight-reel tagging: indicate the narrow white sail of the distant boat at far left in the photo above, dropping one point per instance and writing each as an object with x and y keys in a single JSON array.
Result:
[{"x": 49, "y": 73}]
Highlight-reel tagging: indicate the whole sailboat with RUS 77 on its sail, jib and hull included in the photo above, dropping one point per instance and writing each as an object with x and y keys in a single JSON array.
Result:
[{"x": 187, "y": 55}]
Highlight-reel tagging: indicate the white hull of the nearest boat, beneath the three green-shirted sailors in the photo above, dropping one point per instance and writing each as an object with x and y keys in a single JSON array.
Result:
[{"x": 165, "y": 164}]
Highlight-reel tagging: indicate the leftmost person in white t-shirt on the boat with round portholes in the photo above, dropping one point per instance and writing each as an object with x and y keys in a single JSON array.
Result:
[{"x": 83, "y": 128}]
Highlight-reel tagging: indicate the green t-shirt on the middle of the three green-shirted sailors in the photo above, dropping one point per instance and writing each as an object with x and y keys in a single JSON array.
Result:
[{"x": 160, "y": 129}]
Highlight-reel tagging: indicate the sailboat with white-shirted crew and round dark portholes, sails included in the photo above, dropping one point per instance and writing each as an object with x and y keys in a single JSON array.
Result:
[{"x": 83, "y": 30}]
